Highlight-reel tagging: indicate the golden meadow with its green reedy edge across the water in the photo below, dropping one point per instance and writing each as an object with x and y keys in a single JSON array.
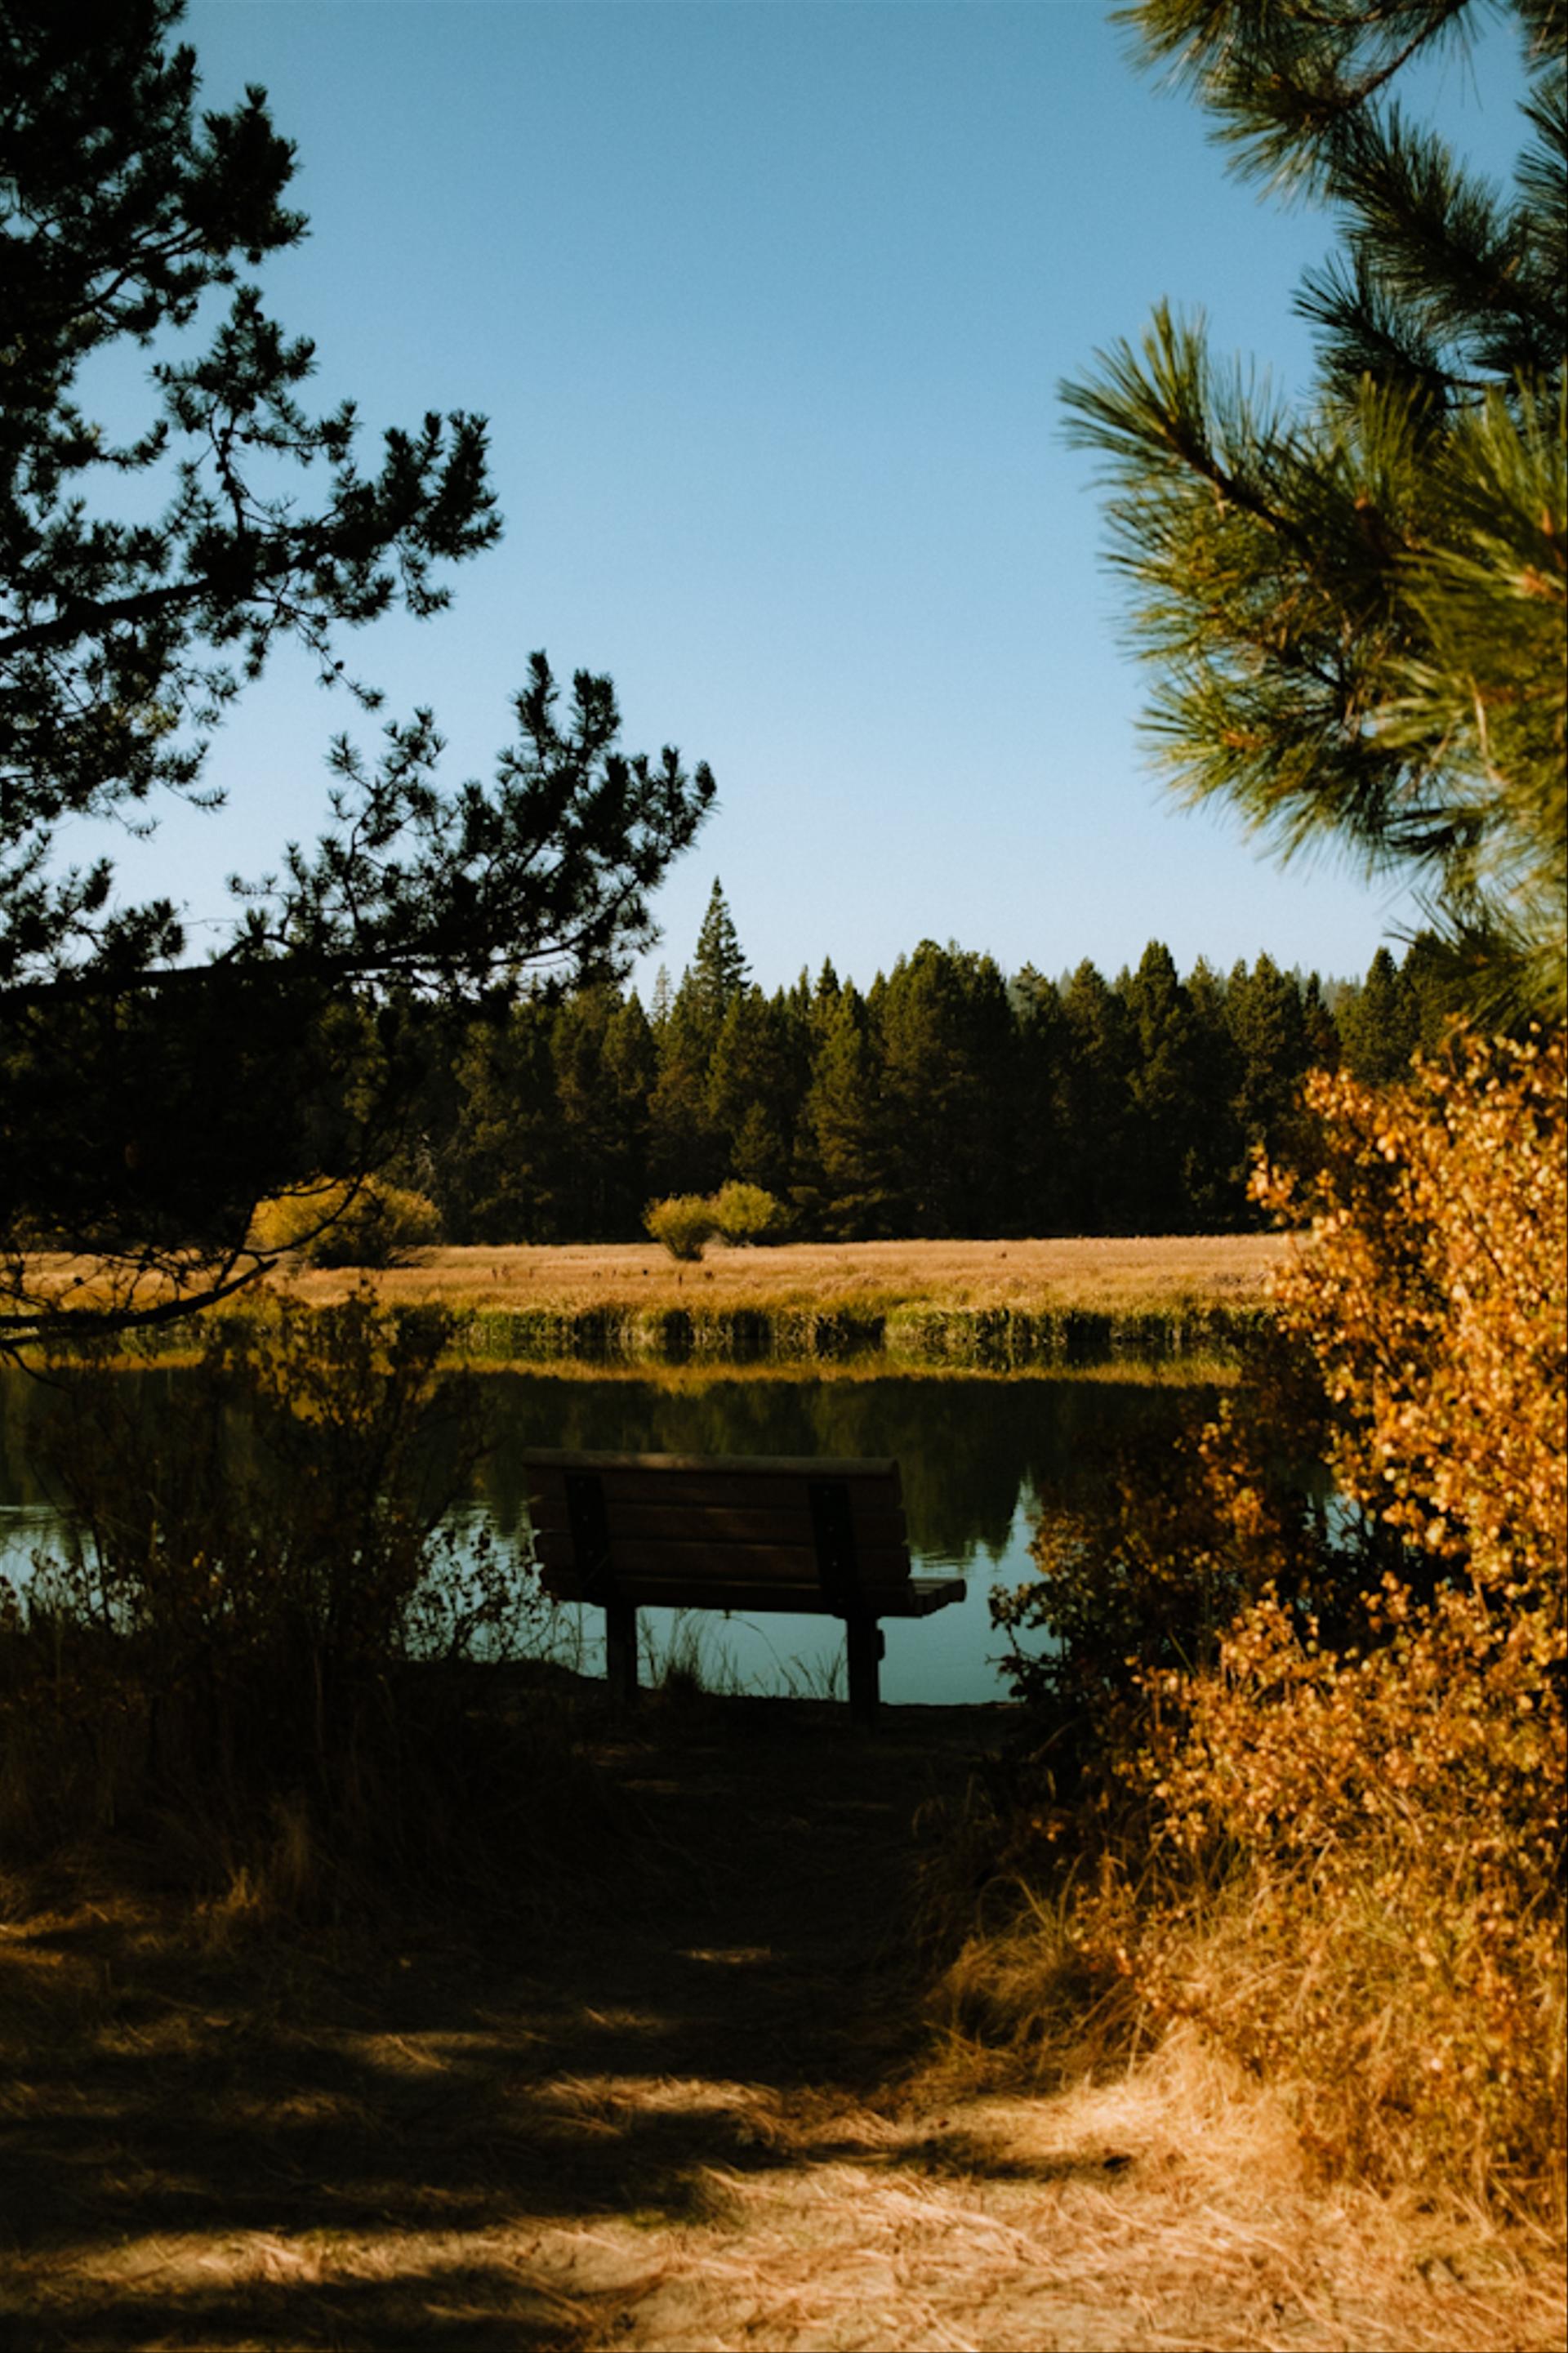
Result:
[{"x": 1176, "y": 1302}]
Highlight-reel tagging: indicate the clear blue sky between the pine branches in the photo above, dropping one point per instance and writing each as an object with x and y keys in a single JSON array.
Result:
[{"x": 769, "y": 307}]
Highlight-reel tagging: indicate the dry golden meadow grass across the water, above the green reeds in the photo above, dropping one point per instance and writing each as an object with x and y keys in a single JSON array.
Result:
[{"x": 1101, "y": 1277}]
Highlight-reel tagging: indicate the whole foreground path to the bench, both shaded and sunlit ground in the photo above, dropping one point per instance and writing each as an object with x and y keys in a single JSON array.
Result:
[{"x": 696, "y": 2112}]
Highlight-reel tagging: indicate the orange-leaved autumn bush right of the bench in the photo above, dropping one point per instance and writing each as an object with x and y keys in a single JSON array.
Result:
[{"x": 1324, "y": 1808}]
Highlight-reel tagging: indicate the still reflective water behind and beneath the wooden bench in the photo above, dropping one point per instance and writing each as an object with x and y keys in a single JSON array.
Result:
[{"x": 983, "y": 1460}]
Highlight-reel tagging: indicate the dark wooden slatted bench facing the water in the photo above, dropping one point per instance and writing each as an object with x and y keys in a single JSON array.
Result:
[{"x": 729, "y": 1533}]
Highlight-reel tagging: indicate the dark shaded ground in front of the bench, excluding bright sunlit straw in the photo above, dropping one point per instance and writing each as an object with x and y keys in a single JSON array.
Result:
[{"x": 263, "y": 2138}]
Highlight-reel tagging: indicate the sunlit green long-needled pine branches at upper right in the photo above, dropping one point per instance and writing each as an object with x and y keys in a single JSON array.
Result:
[{"x": 1357, "y": 606}]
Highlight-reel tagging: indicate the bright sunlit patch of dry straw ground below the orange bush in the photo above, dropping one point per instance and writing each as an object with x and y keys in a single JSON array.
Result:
[{"x": 1164, "y": 2211}]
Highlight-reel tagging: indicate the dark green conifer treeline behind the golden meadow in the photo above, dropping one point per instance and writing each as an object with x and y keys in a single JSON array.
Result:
[{"x": 943, "y": 1102}]
